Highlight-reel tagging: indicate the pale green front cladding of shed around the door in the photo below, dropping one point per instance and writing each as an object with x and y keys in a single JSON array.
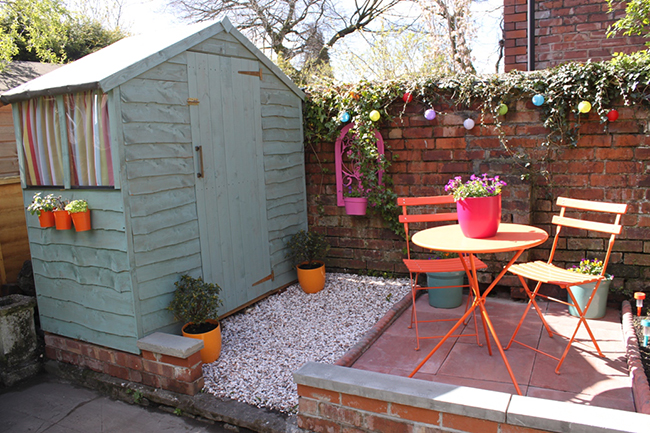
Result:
[{"x": 159, "y": 164}]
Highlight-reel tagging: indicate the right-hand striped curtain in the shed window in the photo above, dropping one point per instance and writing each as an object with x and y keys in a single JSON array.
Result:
[{"x": 89, "y": 139}]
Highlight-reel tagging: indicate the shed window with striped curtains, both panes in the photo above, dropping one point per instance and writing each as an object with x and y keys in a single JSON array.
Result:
[{"x": 86, "y": 160}]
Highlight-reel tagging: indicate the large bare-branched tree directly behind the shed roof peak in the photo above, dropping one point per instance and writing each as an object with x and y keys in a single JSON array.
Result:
[{"x": 299, "y": 31}]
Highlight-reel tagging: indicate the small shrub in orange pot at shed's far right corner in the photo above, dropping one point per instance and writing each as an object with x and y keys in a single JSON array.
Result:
[{"x": 307, "y": 251}]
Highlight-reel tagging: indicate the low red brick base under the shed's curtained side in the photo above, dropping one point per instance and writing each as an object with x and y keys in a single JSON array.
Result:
[{"x": 182, "y": 375}]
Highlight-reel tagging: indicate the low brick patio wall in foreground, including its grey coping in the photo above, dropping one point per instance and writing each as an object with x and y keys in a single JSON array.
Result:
[{"x": 340, "y": 399}]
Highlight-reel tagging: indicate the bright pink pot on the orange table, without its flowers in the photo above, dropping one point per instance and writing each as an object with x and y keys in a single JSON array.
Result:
[{"x": 479, "y": 217}]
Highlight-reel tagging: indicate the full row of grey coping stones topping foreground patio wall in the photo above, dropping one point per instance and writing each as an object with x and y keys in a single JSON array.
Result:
[{"x": 501, "y": 407}]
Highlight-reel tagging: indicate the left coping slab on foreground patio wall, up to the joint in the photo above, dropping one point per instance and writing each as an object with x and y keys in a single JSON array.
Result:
[{"x": 471, "y": 402}]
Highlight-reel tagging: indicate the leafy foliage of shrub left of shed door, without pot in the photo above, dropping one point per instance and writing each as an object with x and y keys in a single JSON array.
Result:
[{"x": 195, "y": 301}]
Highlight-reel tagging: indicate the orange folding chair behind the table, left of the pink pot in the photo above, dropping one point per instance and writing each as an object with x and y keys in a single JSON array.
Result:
[{"x": 416, "y": 267}]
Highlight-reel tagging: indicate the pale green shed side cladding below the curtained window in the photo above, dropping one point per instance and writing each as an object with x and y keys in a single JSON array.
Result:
[{"x": 83, "y": 279}]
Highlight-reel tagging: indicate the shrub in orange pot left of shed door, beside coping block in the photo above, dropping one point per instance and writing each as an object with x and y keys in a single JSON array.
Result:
[{"x": 196, "y": 303}]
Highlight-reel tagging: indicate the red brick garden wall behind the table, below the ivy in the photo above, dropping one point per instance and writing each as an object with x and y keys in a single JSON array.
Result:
[{"x": 610, "y": 163}]
